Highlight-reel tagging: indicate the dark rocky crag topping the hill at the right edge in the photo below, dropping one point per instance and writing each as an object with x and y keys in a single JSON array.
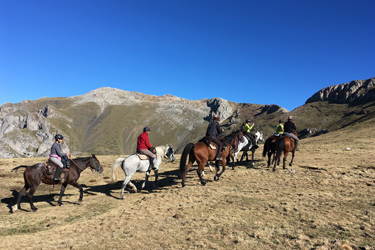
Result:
[{"x": 354, "y": 92}]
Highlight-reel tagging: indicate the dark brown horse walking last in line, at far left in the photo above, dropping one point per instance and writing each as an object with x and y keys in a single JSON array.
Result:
[{"x": 40, "y": 172}]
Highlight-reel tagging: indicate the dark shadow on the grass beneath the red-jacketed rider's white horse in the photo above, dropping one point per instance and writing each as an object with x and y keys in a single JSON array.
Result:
[{"x": 166, "y": 179}]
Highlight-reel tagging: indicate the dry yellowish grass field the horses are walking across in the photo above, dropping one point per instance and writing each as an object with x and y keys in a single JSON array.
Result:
[{"x": 325, "y": 201}]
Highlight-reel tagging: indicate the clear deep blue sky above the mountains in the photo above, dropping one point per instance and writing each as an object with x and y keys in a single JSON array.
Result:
[{"x": 265, "y": 52}]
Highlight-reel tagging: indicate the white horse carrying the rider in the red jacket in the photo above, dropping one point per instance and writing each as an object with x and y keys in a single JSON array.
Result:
[{"x": 133, "y": 164}]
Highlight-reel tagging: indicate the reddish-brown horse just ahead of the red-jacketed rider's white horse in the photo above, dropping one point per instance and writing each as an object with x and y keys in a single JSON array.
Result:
[{"x": 202, "y": 153}]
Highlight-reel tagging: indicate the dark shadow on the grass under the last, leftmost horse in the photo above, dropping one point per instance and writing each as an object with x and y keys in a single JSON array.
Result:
[{"x": 49, "y": 198}]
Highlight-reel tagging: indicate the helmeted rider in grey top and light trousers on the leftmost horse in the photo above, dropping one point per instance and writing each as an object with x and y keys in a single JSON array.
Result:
[{"x": 59, "y": 158}]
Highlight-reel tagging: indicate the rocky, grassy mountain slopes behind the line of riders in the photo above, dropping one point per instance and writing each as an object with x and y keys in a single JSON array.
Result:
[{"x": 108, "y": 120}]
